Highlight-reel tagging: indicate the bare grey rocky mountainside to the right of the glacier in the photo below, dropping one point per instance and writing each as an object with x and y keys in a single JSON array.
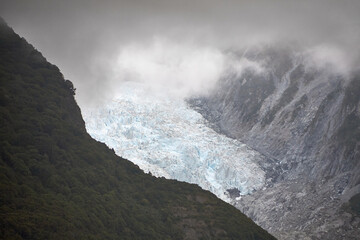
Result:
[{"x": 302, "y": 115}]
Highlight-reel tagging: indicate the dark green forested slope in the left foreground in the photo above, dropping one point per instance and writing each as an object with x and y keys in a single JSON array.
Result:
[{"x": 59, "y": 183}]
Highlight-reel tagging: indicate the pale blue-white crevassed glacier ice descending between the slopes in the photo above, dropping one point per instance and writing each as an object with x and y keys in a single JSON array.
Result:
[{"x": 164, "y": 136}]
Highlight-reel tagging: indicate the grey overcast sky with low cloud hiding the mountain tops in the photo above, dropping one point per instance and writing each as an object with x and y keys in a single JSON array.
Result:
[{"x": 95, "y": 43}]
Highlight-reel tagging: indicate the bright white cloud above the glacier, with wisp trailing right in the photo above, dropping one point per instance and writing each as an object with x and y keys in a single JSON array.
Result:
[{"x": 180, "y": 69}]
